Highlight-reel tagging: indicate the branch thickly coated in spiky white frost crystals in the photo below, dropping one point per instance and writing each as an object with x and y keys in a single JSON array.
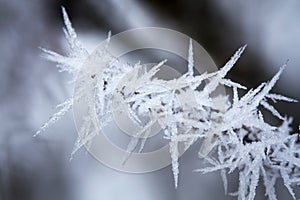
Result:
[{"x": 237, "y": 133}]
